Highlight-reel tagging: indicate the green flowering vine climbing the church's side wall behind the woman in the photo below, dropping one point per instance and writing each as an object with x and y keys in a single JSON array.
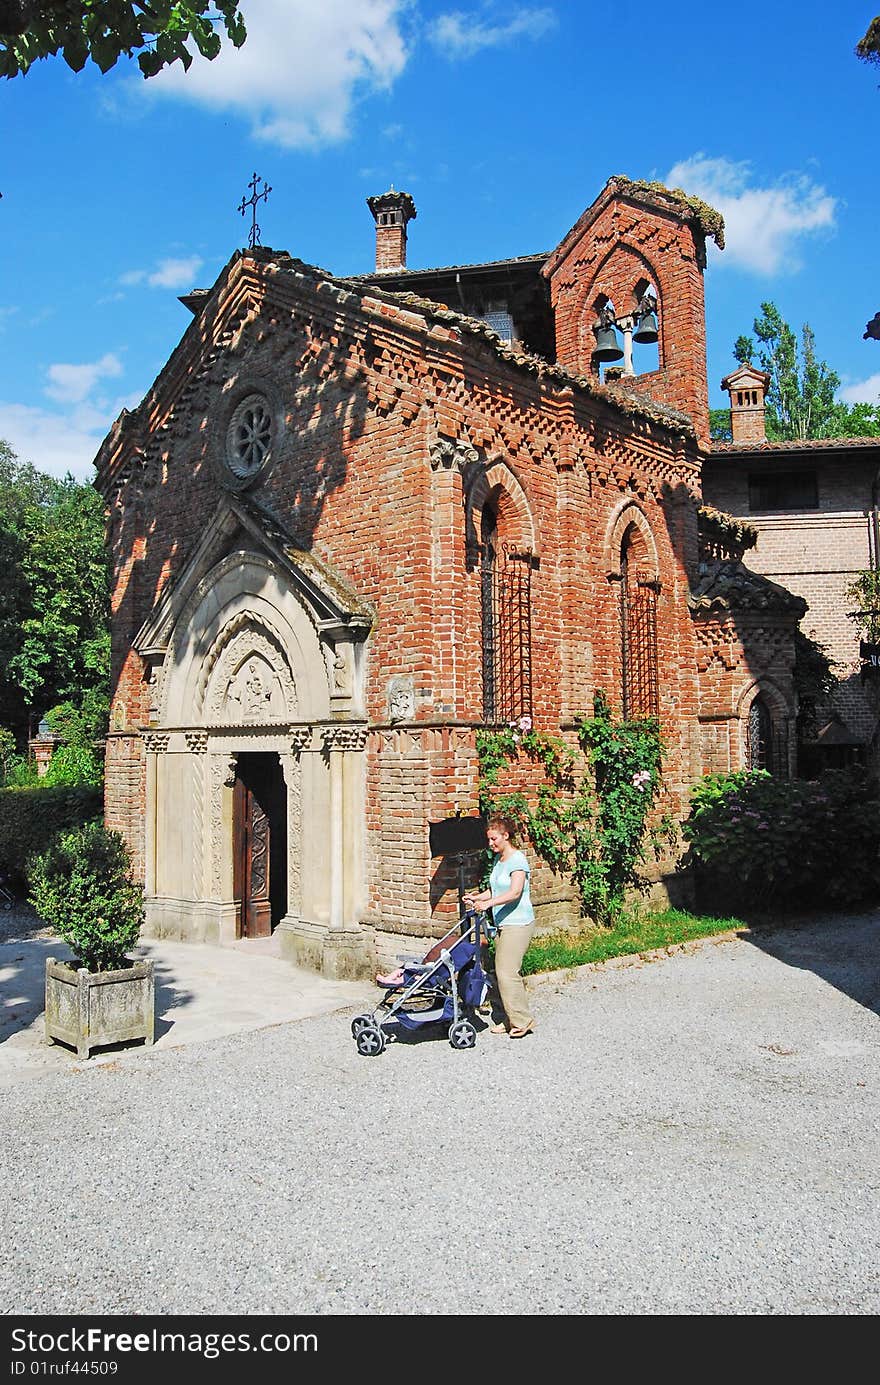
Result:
[{"x": 591, "y": 825}]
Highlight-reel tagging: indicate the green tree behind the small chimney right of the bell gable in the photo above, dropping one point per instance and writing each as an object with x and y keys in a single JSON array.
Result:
[{"x": 802, "y": 398}]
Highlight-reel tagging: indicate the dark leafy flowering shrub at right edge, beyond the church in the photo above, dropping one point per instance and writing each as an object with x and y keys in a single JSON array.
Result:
[{"x": 762, "y": 841}]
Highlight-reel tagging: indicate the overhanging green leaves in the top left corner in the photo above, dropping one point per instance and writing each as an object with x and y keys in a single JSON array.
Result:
[{"x": 159, "y": 33}]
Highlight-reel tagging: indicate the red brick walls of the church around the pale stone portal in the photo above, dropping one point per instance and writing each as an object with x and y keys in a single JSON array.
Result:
[{"x": 390, "y": 420}]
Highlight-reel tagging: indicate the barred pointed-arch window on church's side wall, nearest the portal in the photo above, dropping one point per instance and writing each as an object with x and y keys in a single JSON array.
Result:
[{"x": 507, "y": 627}]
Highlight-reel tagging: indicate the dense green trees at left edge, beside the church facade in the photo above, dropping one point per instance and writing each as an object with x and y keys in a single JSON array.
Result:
[{"x": 55, "y": 596}]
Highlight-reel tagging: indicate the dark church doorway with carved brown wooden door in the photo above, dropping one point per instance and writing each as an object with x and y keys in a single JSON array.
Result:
[{"x": 260, "y": 830}]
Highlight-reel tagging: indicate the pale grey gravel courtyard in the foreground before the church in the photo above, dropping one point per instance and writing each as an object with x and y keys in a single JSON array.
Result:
[{"x": 692, "y": 1134}]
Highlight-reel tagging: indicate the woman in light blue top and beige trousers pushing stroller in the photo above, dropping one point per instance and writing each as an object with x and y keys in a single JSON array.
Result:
[{"x": 509, "y": 900}]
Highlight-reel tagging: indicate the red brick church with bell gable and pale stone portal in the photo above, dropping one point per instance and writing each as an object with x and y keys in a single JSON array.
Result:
[{"x": 355, "y": 520}]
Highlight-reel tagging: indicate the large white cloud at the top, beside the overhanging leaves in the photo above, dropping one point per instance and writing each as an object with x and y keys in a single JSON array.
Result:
[{"x": 301, "y": 69}]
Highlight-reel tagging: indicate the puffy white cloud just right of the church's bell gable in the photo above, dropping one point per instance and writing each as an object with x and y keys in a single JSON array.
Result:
[{"x": 763, "y": 225}]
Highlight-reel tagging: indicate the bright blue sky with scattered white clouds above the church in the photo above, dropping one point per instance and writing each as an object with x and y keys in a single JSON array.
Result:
[{"x": 504, "y": 121}]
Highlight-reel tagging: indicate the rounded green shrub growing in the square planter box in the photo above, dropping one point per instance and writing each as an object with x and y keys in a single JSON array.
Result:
[{"x": 82, "y": 888}]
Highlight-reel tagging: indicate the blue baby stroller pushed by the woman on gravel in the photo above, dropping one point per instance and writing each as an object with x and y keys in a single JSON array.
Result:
[{"x": 447, "y": 991}]
